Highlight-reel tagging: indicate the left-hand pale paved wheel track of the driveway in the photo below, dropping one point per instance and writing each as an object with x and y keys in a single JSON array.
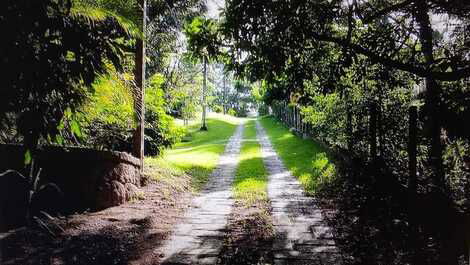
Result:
[{"x": 198, "y": 239}]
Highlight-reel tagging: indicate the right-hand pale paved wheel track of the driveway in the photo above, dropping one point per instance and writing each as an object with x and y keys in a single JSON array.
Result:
[{"x": 302, "y": 236}]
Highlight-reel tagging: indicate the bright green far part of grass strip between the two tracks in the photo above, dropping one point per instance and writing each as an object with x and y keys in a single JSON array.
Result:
[{"x": 250, "y": 182}]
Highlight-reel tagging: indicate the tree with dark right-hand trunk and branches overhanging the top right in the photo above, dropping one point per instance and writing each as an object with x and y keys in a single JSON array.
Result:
[{"x": 273, "y": 34}]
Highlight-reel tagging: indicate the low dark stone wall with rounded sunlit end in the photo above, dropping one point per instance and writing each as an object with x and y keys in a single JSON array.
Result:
[{"x": 89, "y": 180}]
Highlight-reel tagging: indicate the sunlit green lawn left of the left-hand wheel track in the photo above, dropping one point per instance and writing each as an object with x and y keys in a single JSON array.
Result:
[{"x": 199, "y": 153}]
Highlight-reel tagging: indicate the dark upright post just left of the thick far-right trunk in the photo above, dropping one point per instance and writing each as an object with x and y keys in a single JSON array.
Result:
[{"x": 412, "y": 148}]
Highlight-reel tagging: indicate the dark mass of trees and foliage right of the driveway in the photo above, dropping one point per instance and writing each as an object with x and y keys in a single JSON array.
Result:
[{"x": 355, "y": 70}]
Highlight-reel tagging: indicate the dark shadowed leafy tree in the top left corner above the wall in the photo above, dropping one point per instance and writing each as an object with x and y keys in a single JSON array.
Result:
[{"x": 61, "y": 55}]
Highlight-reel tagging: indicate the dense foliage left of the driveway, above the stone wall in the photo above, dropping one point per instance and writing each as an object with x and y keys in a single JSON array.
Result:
[{"x": 76, "y": 82}]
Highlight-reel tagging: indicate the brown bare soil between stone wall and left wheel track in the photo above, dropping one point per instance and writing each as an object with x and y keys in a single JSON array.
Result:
[{"x": 126, "y": 234}]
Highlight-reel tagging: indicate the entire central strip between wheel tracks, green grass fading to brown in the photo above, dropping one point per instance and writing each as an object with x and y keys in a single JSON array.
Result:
[{"x": 250, "y": 228}]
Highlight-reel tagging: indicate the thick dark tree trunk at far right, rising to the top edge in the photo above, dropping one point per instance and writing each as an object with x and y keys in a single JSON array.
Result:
[{"x": 433, "y": 94}]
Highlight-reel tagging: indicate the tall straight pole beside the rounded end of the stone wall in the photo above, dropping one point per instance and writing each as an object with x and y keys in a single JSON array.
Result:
[{"x": 139, "y": 103}]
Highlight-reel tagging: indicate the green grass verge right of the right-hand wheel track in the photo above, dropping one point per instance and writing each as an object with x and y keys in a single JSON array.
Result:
[{"x": 304, "y": 158}]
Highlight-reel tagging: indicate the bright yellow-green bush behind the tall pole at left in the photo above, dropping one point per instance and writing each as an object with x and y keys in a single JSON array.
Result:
[{"x": 109, "y": 117}]
